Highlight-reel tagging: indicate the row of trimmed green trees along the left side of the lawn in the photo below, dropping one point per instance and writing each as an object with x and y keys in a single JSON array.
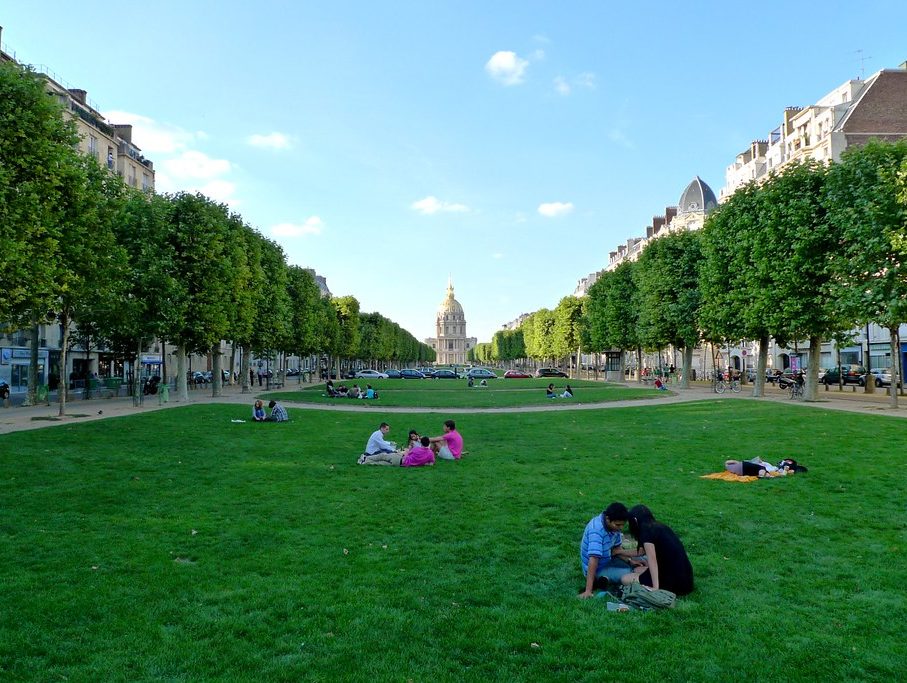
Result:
[{"x": 79, "y": 247}]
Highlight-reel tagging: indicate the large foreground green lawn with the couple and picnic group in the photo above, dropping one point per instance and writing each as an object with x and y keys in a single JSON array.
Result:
[{"x": 177, "y": 545}]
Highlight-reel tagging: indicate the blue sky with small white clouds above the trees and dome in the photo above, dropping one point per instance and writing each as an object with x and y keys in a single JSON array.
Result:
[{"x": 508, "y": 145}]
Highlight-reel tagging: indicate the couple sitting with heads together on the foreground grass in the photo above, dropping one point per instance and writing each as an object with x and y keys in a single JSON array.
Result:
[{"x": 659, "y": 560}]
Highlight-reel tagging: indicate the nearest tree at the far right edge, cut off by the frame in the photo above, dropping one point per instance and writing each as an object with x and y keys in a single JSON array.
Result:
[{"x": 870, "y": 219}]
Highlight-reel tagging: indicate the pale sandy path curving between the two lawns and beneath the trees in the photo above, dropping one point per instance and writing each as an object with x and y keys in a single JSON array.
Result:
[{"x": 21, "y": 418}]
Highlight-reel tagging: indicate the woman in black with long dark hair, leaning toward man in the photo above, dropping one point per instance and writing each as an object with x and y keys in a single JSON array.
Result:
[{"x": 667, "y": 564}]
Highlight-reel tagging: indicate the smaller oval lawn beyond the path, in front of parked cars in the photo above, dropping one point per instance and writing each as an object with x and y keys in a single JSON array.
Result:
[{"x": 456, "y": 394}]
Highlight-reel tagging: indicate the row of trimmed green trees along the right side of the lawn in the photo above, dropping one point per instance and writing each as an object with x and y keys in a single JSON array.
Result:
[{"x": 809, "y": 254}]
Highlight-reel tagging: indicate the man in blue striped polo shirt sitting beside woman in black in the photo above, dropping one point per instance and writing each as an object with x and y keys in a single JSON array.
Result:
[{"x": 600, "y": 550}]
